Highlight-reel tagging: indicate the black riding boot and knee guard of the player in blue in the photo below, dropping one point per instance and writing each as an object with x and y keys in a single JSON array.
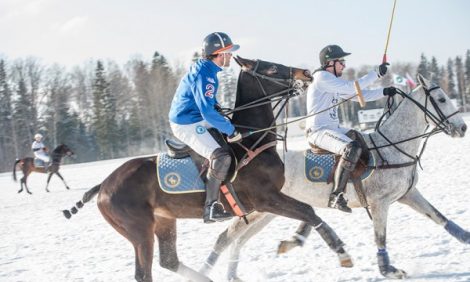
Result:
[{"x": 219, "y": 166}]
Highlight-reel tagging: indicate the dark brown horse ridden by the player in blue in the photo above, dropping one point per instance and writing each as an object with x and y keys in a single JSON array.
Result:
[{"x": 131, "y": 200}]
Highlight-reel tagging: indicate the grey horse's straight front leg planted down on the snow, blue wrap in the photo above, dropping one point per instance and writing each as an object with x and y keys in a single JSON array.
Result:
[{"x": 379, "y": 213}]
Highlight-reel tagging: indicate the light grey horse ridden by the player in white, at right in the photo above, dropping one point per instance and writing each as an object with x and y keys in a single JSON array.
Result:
[{"x": 426, "y": 105}]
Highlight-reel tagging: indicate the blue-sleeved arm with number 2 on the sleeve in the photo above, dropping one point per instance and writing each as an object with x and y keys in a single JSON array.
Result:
[{"x": 204, "y": 96}]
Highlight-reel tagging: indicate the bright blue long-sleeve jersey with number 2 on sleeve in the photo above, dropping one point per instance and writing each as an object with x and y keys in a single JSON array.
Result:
[{"x": 195, "y": 98}]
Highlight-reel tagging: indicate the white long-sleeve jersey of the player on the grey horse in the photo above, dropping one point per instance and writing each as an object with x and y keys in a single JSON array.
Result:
[{"x": 326, "y": 91}]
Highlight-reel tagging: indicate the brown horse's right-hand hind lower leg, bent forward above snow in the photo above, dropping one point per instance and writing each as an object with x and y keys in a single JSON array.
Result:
[{"x": 165, "y": 230}]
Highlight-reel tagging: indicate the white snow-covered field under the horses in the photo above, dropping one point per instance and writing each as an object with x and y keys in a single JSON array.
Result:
[{"x": 38, "y": 244}]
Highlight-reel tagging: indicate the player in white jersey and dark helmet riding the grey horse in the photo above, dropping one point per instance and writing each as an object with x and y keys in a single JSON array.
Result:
[{"x": 323, "y": 129}]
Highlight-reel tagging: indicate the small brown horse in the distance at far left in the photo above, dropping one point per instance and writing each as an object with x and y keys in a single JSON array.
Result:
[{"x": 27, "y": 166}]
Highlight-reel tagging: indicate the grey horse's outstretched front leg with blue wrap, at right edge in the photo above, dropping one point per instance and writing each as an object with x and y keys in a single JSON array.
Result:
[{"x": 415, "y": 200}]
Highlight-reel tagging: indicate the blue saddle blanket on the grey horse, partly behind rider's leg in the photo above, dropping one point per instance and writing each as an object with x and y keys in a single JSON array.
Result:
[{"x": 318, "y": 167}]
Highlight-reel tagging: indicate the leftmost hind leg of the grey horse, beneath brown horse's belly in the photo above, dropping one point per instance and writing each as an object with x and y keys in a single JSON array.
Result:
[{"x": 235, "y": 230}]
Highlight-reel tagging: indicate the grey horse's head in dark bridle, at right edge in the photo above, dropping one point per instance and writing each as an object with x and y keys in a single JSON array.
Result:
[{"x": 442, "y": 113}]
